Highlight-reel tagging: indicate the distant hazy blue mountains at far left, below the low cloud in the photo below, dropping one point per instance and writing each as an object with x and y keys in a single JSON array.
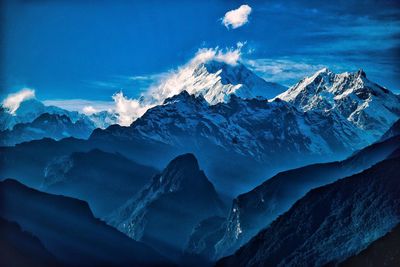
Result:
[{"x": 33, "y": 120}]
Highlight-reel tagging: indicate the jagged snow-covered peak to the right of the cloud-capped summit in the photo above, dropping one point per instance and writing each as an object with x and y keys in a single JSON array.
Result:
[{"x": 356, "y": 99}]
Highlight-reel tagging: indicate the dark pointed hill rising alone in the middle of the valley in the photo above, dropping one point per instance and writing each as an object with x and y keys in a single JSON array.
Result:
[{"x": 166, "y": 211}]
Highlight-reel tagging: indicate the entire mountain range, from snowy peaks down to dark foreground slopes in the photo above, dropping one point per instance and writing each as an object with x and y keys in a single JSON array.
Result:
[{"x": 310, "y": 173}]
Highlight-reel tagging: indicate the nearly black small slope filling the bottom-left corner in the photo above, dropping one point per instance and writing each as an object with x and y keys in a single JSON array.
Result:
[{"x": 20, "y": 248}]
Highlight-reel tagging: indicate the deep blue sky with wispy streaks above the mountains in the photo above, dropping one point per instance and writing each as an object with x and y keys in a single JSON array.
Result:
[{"x": 92, "y": 49}]
